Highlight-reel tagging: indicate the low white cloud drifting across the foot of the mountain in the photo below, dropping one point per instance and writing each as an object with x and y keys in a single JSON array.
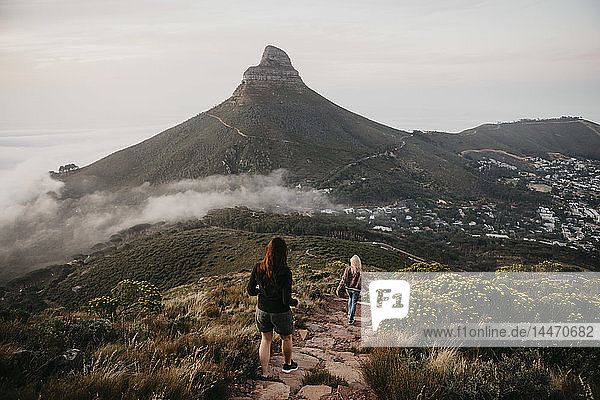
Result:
[{"x": 37, "y": 228}]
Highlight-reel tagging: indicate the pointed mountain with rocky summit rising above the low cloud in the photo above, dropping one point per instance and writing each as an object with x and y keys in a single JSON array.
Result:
[{"x": 273, "y": 120}]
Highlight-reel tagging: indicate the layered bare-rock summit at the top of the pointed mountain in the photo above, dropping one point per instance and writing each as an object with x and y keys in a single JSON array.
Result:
[{"x": 275, "y": 66}]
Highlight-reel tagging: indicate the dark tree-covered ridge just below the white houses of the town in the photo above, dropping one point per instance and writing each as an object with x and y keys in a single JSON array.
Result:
[{"x": 458, "y": 250}]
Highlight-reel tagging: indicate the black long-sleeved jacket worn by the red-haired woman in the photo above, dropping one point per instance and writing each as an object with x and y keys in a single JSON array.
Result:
[{"x": 273, "y": 298}]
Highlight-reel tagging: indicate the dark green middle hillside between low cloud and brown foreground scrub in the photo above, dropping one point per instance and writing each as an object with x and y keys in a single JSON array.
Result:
[{"x": 233, "y": 240}]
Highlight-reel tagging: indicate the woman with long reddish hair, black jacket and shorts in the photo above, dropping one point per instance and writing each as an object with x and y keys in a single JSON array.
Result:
[{"x": 271, "y": 280}]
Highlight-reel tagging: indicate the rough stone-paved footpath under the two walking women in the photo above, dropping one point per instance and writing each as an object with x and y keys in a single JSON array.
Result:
[{"x": 326, "y": 342}]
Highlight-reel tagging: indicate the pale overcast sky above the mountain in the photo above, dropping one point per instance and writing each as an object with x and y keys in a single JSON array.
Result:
[{"x": 80, "y": 79}]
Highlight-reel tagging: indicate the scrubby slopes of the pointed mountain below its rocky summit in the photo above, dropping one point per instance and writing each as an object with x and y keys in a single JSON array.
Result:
[{"x": 297, "y": 130}]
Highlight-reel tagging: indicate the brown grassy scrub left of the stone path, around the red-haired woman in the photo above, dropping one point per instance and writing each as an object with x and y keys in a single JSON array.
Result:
[{"x": 199, "y": 345}]
